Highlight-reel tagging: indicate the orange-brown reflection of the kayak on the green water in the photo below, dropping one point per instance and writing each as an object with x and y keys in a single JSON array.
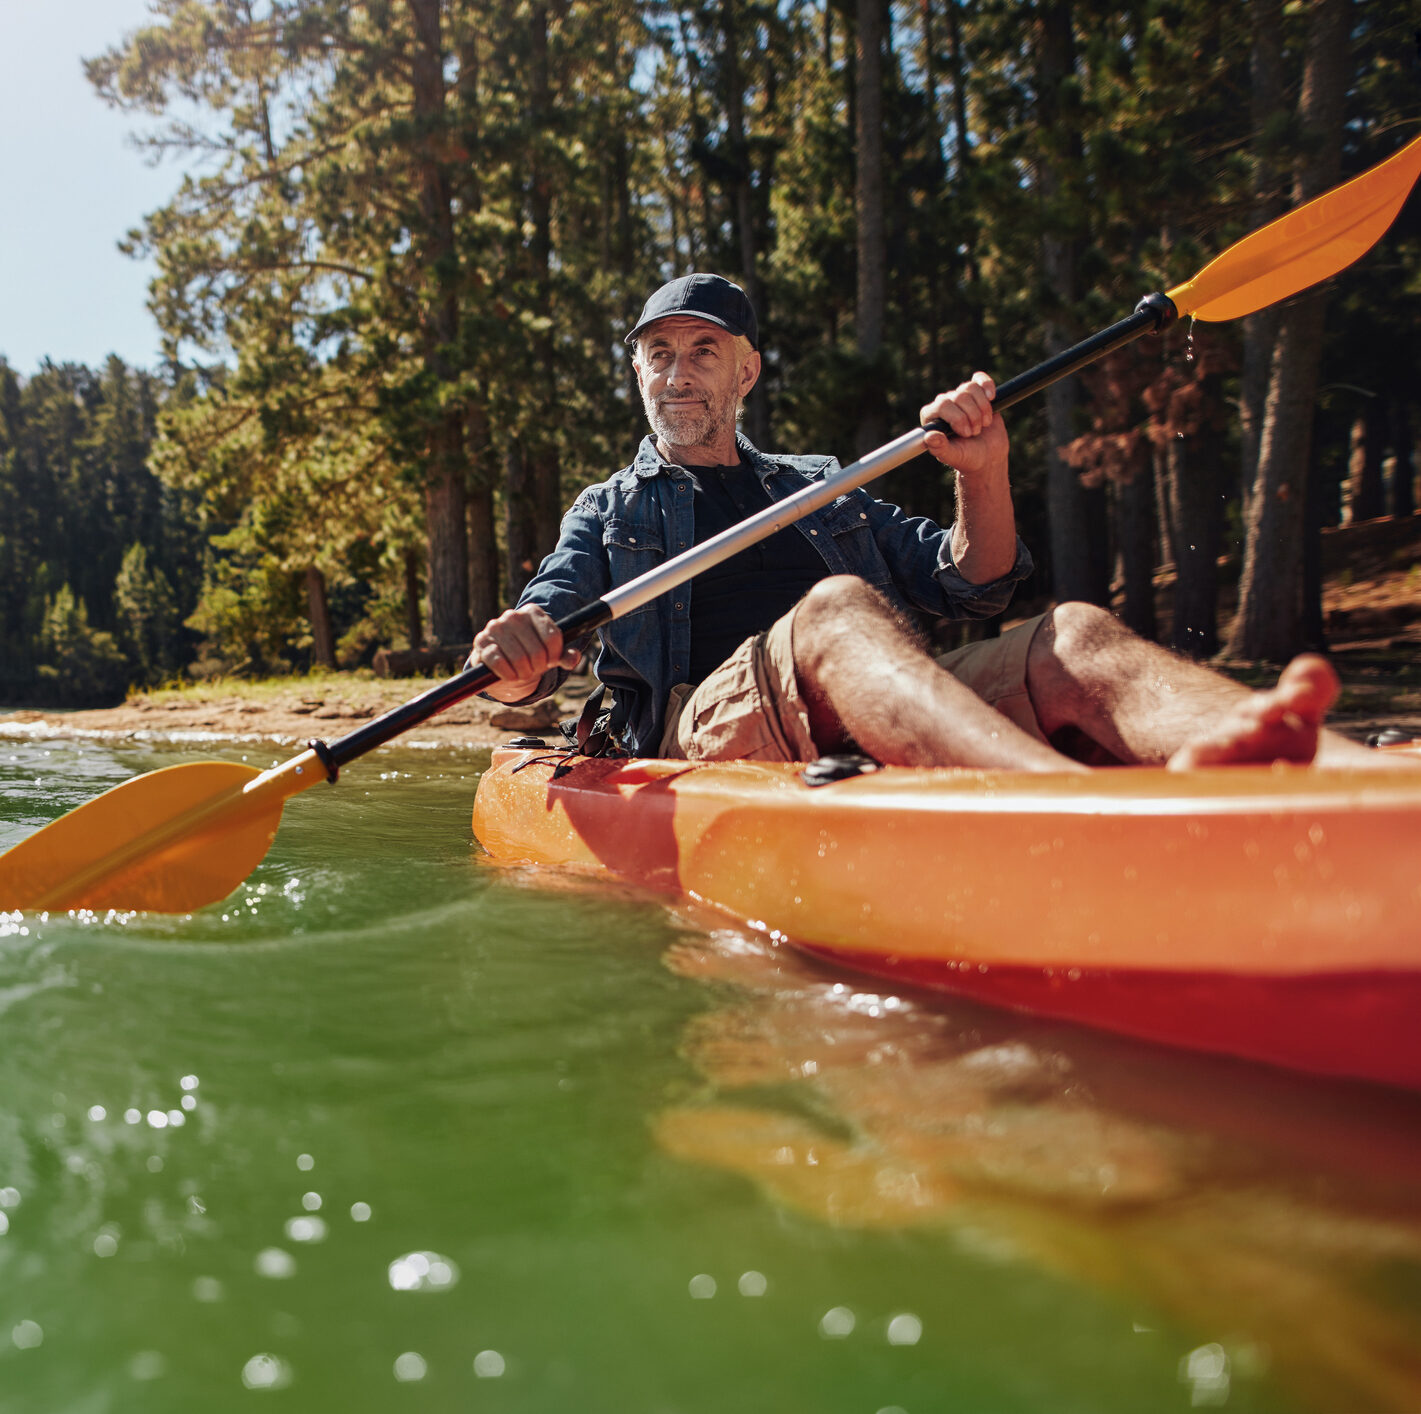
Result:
[{"x": 1274, "y": 1220}]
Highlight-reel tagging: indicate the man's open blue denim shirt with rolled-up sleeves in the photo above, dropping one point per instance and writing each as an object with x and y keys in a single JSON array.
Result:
[{"x": 642, "y": 517}]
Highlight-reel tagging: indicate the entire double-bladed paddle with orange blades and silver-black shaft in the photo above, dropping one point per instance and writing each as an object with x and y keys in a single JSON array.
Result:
[{"x": 178, "y": 839}]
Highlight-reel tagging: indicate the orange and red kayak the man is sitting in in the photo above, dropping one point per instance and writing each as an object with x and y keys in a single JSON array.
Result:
[{"x": 1265, "y": 913}]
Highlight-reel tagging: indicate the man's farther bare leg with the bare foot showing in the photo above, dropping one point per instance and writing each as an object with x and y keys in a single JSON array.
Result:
[{"x": 1145, "y": 704}]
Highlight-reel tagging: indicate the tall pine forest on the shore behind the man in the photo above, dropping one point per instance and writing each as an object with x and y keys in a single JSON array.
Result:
[{"x": 394, "y": 281}]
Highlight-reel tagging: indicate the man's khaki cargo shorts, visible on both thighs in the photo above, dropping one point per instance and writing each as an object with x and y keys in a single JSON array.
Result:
[{"x": 751, "y": 707}]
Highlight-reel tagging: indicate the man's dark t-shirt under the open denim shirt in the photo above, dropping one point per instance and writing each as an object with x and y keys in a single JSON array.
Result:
[{"x": 747, "y": 593}]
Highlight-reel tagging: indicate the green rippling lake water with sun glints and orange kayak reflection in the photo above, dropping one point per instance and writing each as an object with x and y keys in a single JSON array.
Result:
[{"x": 393, "y": 1129}]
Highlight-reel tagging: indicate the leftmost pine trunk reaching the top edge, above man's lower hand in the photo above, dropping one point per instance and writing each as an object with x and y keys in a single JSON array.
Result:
[{"x": 445, "y": 460}]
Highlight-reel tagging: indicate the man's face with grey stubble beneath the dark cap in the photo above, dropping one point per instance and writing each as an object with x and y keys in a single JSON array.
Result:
[{"x": 691, "y": 380}]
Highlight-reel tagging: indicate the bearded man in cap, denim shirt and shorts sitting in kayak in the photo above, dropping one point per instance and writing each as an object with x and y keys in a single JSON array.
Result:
[{"x": 806, "y": 644}]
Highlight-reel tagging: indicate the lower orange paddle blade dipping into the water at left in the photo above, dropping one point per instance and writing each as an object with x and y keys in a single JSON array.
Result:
[{"x": 173, "y": 841}]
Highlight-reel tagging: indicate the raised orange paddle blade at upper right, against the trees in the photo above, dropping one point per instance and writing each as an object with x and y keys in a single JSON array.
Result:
[{"x": 1308, "y": 245}]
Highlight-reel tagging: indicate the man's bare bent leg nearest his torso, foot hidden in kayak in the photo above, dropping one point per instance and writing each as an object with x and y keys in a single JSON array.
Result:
[{"x": 866, "y": 679}]
